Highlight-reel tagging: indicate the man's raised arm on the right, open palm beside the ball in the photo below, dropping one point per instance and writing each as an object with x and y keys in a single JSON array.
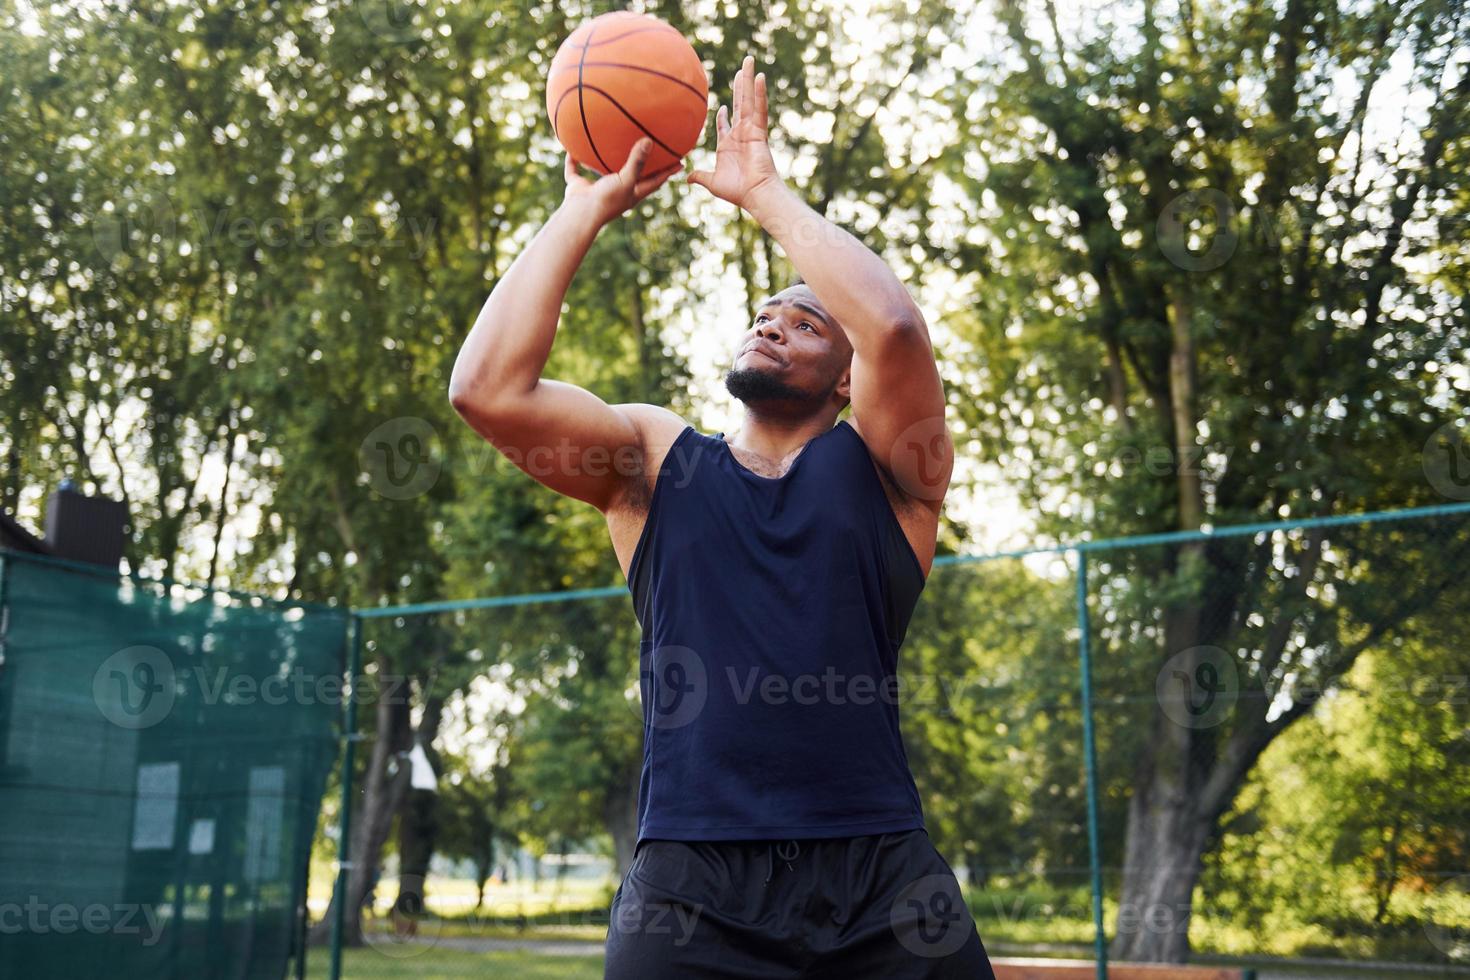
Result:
[{"x": 896, "y": 389}]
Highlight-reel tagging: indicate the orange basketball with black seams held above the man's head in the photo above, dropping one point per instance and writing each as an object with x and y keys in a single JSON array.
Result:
[{"x": 623, "y": 77}]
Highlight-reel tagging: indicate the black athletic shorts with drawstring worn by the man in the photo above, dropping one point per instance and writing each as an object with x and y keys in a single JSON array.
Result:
[{"x": 883, "y": 906}]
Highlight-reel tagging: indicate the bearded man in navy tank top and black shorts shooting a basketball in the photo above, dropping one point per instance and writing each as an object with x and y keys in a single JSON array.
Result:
[{"x": 774, "y": 574}]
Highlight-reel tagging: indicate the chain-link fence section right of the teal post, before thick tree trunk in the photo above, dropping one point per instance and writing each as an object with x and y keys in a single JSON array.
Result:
[{"x": 1284, "y": 741}]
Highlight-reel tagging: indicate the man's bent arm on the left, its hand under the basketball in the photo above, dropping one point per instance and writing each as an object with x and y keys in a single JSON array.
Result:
[{"x": 559, "y": 434}]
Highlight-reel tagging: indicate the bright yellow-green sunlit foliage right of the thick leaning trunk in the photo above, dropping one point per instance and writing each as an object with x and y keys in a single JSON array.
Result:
[{"x": 1355, "y": 807}]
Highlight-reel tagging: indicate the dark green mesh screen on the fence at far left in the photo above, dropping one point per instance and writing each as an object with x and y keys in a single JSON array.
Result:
[{"x": 162, "y": 762}]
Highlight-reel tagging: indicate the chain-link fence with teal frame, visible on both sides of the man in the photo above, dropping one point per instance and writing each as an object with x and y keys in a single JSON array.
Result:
[{"x": 1240, "y": 746}]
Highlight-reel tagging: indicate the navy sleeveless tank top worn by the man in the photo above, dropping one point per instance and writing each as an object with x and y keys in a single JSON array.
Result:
[{"x": 772, "y": 613}]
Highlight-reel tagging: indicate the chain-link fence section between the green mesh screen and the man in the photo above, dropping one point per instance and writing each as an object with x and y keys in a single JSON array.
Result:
[{"x": 501, "y": 746}]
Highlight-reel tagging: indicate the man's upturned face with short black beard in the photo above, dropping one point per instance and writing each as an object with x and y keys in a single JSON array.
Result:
[{"x": 793, "y": 352}]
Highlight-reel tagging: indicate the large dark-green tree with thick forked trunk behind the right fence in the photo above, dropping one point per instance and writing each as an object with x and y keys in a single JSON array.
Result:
[{"x": 1202, "y": 300}]
